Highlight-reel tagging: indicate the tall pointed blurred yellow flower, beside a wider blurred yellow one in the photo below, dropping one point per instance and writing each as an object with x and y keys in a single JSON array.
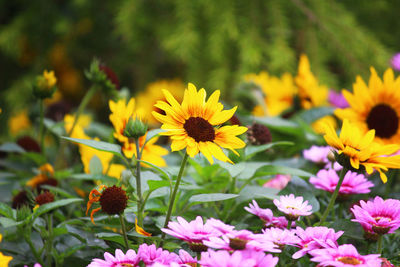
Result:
[{"x": 311, "y": 94}]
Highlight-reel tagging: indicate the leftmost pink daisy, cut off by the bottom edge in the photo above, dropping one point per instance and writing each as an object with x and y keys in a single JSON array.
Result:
[{"x": 120, "y": 258}]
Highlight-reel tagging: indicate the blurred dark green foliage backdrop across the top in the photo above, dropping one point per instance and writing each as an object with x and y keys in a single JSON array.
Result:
[{"x": 210, "y": 43}]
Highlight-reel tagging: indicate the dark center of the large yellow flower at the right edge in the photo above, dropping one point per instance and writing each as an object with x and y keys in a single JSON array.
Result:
[{"x": 384, "y": 120}]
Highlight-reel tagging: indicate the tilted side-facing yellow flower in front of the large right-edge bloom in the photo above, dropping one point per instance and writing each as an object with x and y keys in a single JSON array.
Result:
[{"x": 359, "y": 149}]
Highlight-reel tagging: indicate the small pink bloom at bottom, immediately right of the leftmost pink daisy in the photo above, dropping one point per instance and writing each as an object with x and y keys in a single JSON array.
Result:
[{"x": 151, "y": 254}]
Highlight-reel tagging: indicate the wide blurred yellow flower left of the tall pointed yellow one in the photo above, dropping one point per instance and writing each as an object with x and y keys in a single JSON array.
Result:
[{"x": 278, "y": 93}]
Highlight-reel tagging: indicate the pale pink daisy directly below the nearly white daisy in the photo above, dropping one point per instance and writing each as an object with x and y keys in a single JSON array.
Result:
[{"x": 280, "y": 237}]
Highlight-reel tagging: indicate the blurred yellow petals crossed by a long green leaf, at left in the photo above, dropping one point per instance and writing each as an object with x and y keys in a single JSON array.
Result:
[{"x": 87, "y": 153}]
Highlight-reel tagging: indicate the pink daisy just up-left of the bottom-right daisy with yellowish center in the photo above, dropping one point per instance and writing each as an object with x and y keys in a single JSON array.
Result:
[{"x": 315, "y": 238}]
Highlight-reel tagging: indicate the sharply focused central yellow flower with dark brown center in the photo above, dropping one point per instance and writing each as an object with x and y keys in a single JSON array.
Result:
[{"x": 191, "y": 124}]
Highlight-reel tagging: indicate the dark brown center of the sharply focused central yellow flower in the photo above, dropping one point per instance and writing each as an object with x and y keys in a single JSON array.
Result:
[{"x": 199, "y": 129}]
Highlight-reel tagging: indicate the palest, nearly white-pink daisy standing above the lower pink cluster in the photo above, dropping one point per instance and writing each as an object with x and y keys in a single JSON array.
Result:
[{"x": 293, "y": 207}]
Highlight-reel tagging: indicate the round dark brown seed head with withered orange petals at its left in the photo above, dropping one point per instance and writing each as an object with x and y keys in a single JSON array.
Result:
[{"x": 113, "y": 200}]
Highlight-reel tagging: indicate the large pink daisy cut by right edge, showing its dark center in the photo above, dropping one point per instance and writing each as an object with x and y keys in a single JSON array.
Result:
[{"x": 379, "y": 216}]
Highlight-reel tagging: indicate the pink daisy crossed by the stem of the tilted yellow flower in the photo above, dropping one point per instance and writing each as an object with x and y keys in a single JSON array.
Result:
[{"x": 353, "y": 183}]
